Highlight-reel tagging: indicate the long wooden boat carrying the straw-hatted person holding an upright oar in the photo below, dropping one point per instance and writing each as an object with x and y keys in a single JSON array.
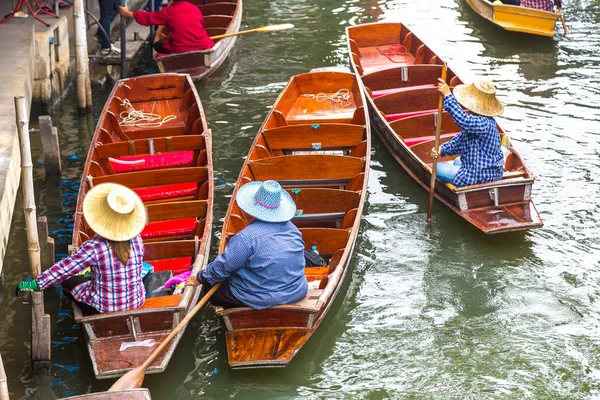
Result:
[{"x": 399, "y": 74}]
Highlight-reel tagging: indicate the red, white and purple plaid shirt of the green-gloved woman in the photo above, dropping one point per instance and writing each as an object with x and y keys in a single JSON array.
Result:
[{"x": 114, "y": 287}]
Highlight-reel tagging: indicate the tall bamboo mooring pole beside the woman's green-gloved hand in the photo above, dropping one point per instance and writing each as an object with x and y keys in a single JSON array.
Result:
[{"x": 40, "y": 322}]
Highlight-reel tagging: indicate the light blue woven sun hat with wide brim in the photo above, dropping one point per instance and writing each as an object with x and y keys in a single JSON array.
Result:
[{"x": 266, "y": 201}]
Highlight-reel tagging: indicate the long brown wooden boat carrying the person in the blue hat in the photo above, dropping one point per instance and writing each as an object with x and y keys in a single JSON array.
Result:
[{"x": 319, "y": 151}]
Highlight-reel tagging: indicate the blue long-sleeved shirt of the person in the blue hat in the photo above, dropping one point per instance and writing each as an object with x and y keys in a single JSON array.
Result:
[{"x": 264, "y": 263}]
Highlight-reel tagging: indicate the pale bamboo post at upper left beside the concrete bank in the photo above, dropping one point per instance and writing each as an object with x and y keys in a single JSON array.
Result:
[{"x": 84, "y": 100}]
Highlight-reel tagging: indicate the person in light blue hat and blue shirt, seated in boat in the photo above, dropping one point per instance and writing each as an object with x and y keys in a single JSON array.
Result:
[{"x": 263, "y": 264}]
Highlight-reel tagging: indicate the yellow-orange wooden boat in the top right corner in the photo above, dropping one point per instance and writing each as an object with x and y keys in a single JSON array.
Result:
[{"x": 516, "y": 18}]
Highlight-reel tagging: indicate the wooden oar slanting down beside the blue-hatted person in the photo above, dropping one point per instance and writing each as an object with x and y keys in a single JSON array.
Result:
[{"x": 134, "y": 378}]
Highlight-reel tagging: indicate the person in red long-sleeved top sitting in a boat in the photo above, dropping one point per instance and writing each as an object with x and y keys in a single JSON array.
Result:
[{"x": 184, "y": 24}]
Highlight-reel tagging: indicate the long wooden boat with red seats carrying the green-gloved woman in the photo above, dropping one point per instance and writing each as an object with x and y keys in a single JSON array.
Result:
[{"x": 169, "y": 164}]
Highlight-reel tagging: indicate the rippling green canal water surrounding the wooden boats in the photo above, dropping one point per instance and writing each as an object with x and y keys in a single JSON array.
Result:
[{"x": 446, "y": 313}]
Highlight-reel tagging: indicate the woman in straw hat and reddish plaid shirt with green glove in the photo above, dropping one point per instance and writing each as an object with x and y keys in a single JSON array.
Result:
[{"x": 118, "y": 216}]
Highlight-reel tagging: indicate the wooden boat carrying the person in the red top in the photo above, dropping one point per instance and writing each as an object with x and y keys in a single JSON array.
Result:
[{"x": 220, "y": 17}]
